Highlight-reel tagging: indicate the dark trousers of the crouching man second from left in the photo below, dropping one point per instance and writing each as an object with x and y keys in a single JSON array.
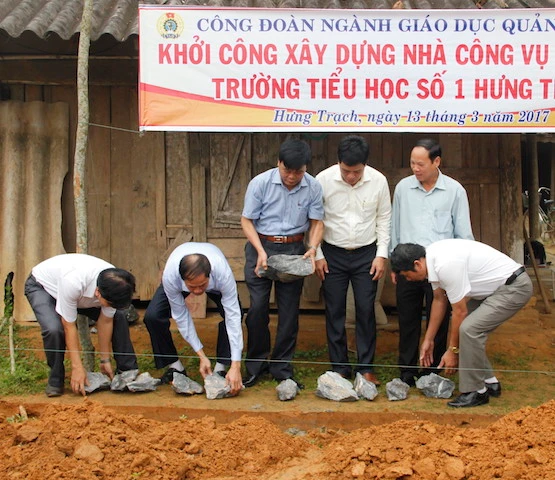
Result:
[{"x": 157, "y": 321}]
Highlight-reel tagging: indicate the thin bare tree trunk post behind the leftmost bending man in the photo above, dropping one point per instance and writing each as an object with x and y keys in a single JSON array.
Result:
[{"x": 79, "y": 184}]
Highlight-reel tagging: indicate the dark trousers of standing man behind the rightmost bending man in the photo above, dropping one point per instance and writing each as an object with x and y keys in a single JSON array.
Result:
[{"x": 410, "y": 298}]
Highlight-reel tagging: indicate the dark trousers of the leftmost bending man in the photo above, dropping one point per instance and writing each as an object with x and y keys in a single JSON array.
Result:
[{"x": 53, "y": 335}]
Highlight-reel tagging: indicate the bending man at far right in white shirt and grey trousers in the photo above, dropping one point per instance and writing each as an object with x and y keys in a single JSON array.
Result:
[{"x": 485, "y": 288}]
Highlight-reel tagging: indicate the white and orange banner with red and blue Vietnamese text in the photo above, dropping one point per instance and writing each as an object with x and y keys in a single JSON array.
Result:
[{"x": 246, "y": 69}]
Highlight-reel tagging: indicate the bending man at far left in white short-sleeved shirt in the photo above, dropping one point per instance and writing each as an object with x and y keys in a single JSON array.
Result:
[{"x": 64, "y": 286}]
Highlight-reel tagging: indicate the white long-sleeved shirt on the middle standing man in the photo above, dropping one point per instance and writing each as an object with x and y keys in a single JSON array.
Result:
[{"x": 359, "y": 215}]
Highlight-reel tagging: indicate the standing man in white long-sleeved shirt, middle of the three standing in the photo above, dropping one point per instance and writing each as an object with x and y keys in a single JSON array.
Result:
[{"x": 357, "y": 212}]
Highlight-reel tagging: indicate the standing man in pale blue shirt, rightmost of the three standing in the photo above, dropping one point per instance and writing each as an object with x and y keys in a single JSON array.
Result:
[{"x": 427, "y": 206}]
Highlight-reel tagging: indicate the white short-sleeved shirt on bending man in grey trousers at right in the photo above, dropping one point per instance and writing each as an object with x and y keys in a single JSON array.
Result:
[{"x": 466, "y": 268}]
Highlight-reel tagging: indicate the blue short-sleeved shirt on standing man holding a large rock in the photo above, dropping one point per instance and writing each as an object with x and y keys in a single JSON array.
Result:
[{"x": 275, "y": 210}]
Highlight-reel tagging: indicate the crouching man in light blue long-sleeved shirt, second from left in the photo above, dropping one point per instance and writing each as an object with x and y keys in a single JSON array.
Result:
[{"x": 196, "y": 268}]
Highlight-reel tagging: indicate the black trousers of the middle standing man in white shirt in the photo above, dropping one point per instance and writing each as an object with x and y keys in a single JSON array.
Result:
[{"x": 350, "y": 266}]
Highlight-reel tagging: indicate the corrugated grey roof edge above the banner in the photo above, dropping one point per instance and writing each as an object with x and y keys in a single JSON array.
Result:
[{"x": 118, "y": 18}]
